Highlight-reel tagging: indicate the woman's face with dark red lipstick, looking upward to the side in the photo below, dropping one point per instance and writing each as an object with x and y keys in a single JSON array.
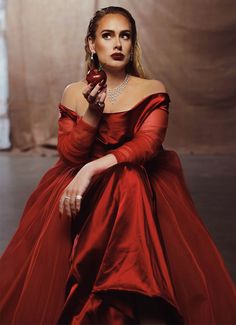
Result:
[{"x": 113, "y": 35}]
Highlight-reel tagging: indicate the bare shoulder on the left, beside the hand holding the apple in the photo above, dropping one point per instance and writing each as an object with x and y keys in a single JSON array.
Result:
[{"x": 72, "y": 93}]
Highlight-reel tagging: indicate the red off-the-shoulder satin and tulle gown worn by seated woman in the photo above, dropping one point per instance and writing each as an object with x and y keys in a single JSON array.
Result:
[{"x": 137, "y": 233}]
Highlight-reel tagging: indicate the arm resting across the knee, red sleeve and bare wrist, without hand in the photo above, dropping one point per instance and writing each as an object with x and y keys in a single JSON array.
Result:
[{"x": 145, "y": 144}]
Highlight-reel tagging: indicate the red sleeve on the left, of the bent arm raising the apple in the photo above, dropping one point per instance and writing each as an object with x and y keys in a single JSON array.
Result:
[{"x": 75, "y": 137}]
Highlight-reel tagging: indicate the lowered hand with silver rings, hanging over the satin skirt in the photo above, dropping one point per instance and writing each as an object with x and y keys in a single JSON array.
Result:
[{"x": 69, "y": 202}]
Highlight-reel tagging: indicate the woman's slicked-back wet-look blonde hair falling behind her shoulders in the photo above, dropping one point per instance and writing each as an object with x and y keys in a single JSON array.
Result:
[{"x": 134, "y": 67}]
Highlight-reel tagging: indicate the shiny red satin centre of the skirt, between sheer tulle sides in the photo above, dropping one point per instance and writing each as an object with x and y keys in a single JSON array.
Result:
[{"x": 117, "y": 251}]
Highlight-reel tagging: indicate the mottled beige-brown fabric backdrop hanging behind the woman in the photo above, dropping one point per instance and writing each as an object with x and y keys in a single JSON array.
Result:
[{"x": 189, "y": 45}]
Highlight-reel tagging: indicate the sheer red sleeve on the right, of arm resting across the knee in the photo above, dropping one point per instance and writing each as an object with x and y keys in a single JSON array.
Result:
[{"x": 148, "y": 139}]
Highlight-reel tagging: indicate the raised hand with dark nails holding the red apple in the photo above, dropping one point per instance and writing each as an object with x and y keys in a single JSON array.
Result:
[{"x": 96, "y": 96}]
